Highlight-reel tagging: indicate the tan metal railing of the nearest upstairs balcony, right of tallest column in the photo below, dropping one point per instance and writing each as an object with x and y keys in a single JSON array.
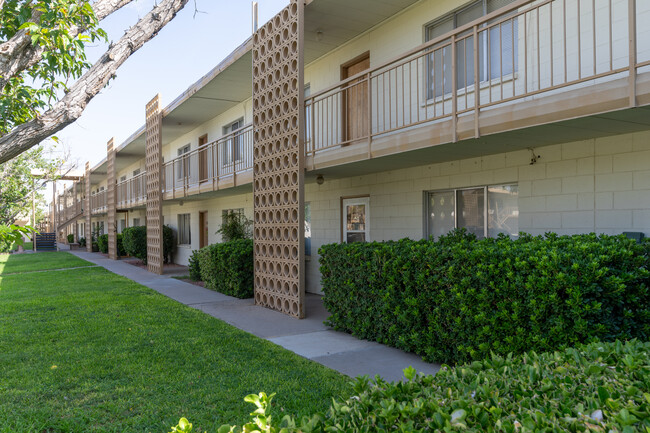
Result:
[{"x": 523, "y": 50}]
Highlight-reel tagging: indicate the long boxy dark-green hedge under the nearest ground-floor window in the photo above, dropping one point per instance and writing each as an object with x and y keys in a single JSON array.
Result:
[{"x": 459, "y": 299}]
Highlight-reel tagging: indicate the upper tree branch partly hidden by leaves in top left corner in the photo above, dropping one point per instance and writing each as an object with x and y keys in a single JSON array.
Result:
[{"x": 18, "y": 53}]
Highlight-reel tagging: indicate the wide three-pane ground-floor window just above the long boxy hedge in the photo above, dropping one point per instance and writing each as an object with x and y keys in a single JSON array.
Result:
[{"x": 484, "y": 211}]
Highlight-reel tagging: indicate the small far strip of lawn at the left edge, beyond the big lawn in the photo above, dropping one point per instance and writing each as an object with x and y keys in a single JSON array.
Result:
[{"x": 14, "y": 263}]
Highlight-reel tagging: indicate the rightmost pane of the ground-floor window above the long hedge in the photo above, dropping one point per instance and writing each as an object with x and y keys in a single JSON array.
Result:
[{"x": 503, "y": 210}]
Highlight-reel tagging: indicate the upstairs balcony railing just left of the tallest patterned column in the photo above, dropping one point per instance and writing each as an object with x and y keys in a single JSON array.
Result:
[{"x": 210, "y": 163}]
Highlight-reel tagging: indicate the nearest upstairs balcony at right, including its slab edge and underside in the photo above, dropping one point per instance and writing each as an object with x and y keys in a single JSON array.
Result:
[{"x": 523, "y": 70}]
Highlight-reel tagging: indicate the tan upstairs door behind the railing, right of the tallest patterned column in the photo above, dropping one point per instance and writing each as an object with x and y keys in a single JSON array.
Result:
[{"x": 355, "y": 118}]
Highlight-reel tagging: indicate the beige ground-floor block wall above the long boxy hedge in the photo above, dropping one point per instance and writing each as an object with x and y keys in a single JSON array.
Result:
[{"x": 600, "y": 185}]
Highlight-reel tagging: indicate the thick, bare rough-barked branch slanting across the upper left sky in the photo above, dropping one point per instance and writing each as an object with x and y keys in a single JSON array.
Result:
[{"x": 71, "y": 106}]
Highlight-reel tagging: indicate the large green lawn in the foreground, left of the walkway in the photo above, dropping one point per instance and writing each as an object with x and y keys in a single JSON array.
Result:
[{"x": 87, "y": 350}]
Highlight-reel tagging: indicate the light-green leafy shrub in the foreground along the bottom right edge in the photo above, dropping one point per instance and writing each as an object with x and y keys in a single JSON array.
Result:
[{"x": 596, "y": 388}]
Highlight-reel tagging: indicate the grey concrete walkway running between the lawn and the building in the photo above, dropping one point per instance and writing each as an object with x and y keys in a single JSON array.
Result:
[{"x": 309, "y": 337}]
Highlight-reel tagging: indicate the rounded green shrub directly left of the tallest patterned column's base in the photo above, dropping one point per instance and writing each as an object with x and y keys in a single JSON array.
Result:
[{"x": 228, "y": 267}]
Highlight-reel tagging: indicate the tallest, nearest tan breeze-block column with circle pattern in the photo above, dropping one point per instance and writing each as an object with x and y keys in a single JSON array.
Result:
[{"x": 278, "y": 164}]
